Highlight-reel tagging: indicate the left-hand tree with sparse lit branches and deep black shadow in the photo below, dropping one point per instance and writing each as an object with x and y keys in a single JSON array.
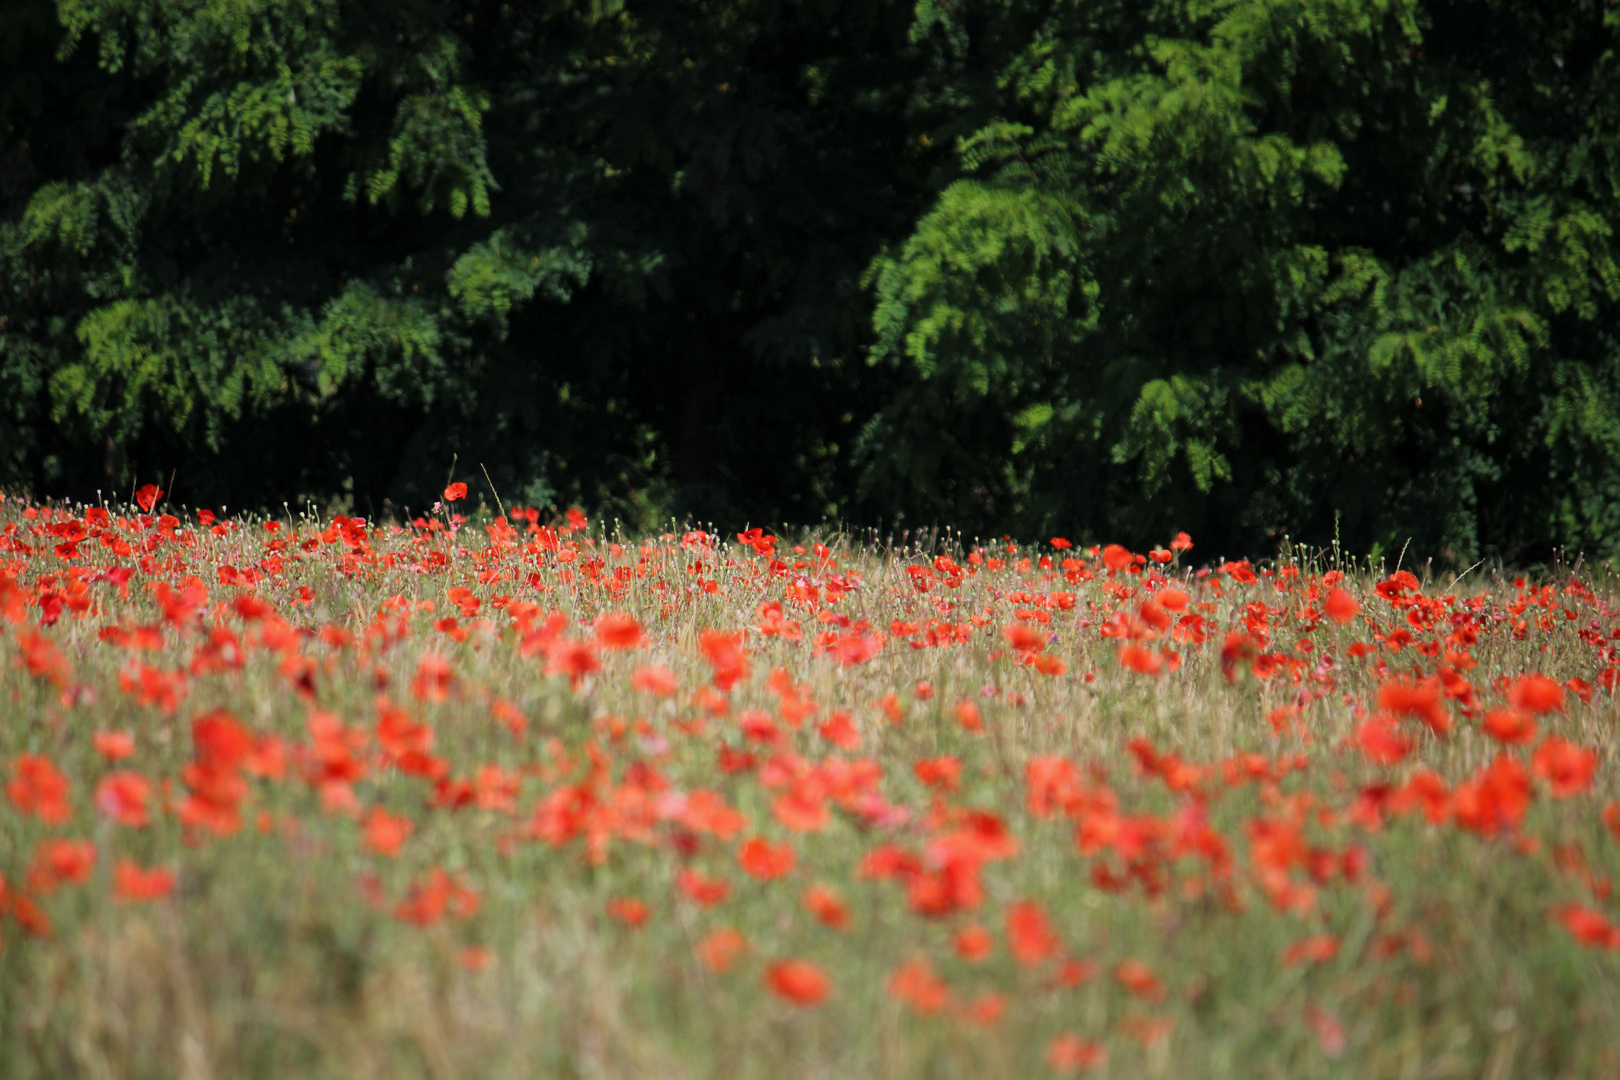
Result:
[{"x": 613, "y": 252}]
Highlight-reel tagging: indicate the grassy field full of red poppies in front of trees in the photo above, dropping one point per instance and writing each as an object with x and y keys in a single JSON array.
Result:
[{"x": 516, "y": 796}]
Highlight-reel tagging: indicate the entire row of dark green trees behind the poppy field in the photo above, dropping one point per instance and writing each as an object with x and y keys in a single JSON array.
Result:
[{"x": 1098, "y": 268}]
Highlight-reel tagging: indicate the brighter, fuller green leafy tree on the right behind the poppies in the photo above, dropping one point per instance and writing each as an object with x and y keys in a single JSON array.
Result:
[{"x": 1321, "y": 265}]
